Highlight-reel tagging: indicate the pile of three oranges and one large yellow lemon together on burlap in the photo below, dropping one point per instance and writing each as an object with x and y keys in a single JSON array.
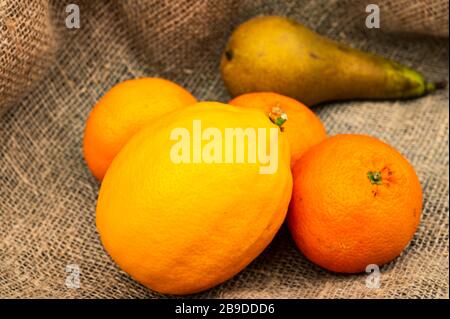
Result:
[{"x": 191, "y": 192}]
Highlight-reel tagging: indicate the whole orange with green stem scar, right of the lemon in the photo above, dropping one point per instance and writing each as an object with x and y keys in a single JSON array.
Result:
[{"x": 356, "y": 201}]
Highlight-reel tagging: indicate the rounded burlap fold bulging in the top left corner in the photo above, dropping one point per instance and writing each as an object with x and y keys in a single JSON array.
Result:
[{"x": 27, "y": 47}]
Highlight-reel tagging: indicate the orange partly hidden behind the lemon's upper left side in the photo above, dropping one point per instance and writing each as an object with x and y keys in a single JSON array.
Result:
[{"x": 123, "y": 111}]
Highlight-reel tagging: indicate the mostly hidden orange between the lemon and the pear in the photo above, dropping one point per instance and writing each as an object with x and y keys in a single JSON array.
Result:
[{"x": 303, "y": 128}]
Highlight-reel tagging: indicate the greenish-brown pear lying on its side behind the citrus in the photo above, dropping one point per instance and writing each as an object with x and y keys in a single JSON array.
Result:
[{"x": 276, "y": 54}]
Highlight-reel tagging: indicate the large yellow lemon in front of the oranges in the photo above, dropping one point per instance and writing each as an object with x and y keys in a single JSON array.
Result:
[{"x": 180, "y": 220}]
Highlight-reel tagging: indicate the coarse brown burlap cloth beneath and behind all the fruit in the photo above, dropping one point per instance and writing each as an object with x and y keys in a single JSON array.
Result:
[{"x": 48, "y": 197}]
